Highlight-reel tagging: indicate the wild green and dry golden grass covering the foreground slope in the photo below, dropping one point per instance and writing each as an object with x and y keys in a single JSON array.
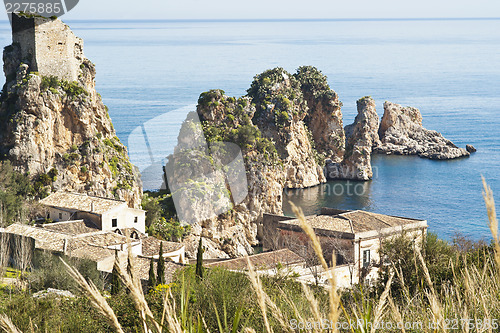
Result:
[{"x": 226, "y": 301}]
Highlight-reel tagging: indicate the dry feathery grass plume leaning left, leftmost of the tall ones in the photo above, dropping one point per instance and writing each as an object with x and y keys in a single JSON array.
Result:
[{"x": 92, "y": 293}]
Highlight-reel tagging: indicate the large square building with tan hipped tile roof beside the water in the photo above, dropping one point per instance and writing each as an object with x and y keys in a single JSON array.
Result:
[{"x": 354, "y": 236}]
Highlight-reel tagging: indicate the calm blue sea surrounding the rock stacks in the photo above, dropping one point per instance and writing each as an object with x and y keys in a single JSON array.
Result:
[{"x": 151, "y": 73}]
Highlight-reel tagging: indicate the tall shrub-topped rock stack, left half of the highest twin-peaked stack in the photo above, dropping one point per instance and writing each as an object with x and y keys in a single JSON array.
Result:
[{"x": 281, "y": 109}]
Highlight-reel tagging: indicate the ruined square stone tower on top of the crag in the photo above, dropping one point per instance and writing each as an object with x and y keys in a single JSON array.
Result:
[{"x": 48, "y": 46}]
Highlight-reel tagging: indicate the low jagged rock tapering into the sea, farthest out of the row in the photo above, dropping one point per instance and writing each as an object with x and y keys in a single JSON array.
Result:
[{"x": 402, "y": 133}]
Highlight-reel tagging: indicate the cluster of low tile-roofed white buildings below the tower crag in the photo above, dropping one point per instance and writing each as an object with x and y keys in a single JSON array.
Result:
[{"x": 97, "y": 229}]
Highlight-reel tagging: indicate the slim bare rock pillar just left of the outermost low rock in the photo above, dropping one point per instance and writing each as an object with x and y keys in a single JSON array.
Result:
[{"x": 361, "y": 138}]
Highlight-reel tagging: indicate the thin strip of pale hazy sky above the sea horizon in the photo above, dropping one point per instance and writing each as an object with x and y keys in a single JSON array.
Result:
[{"x": 255, "y": 9}]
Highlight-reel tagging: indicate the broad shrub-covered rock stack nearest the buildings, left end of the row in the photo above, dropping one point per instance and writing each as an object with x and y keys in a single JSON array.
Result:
[{"x": 226, "y": 119}]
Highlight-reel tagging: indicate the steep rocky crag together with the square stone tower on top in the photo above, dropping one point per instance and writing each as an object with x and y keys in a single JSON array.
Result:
[{"x": 53, "y": 124}]
